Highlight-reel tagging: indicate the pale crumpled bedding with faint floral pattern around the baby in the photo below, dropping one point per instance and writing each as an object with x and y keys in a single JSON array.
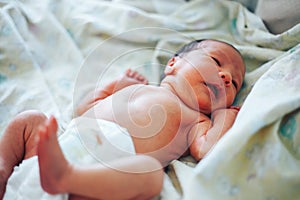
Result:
[{"x": 52, "y": 52}]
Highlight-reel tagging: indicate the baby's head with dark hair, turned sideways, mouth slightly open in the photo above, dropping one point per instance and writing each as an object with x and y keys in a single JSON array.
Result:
[{"x": 206, "y": 74}]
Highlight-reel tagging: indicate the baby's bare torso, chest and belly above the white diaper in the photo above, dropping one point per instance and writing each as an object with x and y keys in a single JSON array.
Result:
[{"x": 157, "y": 120}]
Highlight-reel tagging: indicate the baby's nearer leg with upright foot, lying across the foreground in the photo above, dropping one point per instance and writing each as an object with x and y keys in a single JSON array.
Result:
[{"x": 128, "y": 178}]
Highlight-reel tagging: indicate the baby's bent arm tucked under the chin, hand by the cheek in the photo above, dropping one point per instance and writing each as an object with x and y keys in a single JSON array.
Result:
[{"x": 206, "y": 136}]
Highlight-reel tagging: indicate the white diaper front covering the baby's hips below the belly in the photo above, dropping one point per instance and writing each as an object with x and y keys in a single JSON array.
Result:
[{"x": 89, "y": 140}]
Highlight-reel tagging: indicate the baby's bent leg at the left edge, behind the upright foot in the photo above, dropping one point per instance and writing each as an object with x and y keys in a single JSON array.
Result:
[{"x": 18, "y": 143}]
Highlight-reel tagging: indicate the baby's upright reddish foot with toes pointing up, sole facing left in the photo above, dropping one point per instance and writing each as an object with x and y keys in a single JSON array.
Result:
[{"x": 53, "y": 165}]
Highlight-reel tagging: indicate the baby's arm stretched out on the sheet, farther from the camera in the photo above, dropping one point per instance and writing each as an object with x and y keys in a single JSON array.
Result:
[{"x": 128, "y": 78}]
